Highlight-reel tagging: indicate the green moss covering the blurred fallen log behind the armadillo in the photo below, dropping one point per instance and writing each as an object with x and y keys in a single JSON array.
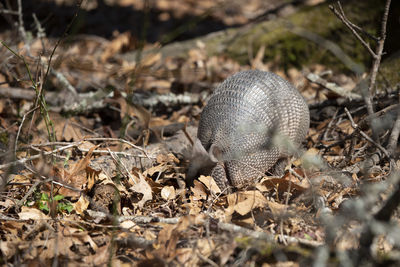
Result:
[{"x": 290, "y": 49}]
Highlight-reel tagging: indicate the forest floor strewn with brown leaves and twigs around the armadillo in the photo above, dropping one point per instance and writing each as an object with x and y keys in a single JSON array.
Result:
[{"x": 94, "y": 147}]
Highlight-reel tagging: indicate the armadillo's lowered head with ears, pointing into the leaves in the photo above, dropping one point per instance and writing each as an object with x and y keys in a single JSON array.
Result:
[{"x": 202, "y": 162}]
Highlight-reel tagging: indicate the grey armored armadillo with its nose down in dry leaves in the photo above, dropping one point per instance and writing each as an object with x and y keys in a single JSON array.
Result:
[{"x": 249, "y": 123}]
